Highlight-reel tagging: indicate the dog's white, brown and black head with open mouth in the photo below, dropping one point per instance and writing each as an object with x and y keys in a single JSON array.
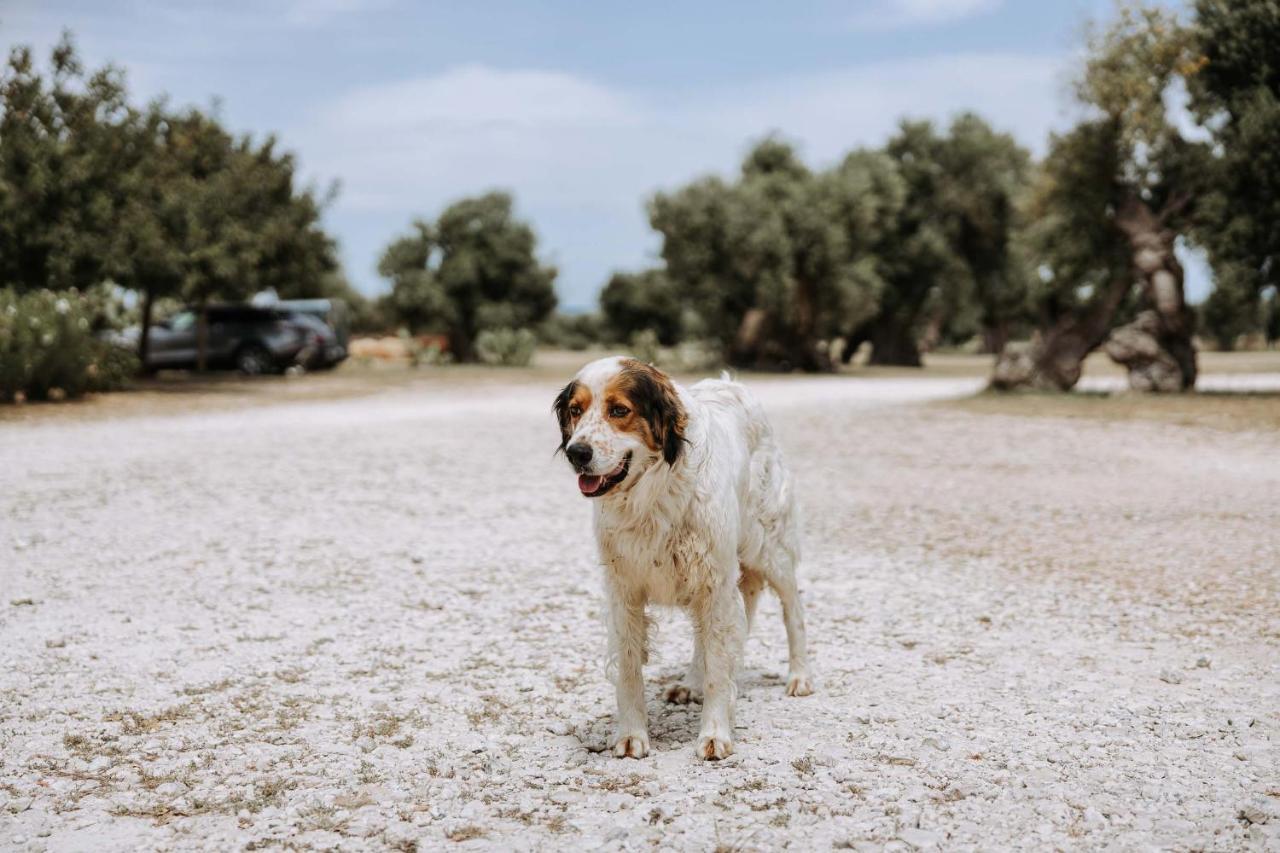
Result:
[{"x": 618, "y": 418}]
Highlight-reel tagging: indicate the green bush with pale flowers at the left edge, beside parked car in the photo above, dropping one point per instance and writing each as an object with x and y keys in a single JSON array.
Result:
[{"x": 48, "y": 350}]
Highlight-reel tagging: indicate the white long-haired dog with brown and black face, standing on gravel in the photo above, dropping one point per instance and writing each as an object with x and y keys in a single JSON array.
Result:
[{"x": 694, "y": 509}]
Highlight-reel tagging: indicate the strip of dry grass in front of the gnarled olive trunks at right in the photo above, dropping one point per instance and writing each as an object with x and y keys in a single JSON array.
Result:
[{"x": 1227, "y": 412}]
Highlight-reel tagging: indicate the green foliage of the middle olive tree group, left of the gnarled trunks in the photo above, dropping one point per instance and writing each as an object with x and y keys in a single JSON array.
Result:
[{"x": 785, "y": 258}]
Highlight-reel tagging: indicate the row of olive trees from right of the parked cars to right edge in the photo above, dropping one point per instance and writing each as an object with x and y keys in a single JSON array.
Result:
[{"x": 945, "y": 238}]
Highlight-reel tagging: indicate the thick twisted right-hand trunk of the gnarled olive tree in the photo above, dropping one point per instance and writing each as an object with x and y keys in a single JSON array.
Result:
[{"x": 1156, "y": 348}]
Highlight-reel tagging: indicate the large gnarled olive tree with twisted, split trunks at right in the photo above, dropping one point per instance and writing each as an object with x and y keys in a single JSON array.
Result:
[{"x": 1135, "y": 181}]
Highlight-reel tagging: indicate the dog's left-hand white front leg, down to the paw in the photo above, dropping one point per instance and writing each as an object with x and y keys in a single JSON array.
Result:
[{"x": 629, "y": 637}]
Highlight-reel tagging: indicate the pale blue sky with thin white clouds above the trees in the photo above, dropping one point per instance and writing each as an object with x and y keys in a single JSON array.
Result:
[{"x": 580, "y": 110}]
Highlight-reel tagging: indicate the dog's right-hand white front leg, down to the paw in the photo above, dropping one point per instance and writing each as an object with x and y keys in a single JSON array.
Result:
[{"x": 721, "y": 623}]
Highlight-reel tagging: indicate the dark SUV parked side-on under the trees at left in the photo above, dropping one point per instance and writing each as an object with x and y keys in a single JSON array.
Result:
[{"x": 243, "y": 337}]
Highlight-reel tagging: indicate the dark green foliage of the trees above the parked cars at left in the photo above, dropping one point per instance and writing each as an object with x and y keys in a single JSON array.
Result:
[{"x": 170, "y": 206}]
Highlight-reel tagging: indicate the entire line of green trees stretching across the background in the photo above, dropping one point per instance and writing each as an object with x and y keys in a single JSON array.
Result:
[{"x": 941, "y": 238}]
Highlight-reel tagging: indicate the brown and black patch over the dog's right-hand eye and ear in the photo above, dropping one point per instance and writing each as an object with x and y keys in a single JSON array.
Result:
[{"x": 642, "y": 400}]
